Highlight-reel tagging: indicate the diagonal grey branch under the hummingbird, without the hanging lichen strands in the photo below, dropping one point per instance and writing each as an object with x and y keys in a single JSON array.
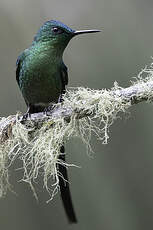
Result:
[{"x": 139, "y": 91}]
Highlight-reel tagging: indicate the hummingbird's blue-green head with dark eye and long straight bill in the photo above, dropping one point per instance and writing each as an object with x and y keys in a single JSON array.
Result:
[{"x": 58, "y": 34}]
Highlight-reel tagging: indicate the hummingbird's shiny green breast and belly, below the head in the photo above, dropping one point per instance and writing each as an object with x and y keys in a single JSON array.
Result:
[{"x": 40, "y": 79}]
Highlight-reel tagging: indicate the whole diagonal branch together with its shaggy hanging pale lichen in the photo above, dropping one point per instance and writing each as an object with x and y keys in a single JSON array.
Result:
[{"x": 36, "y": 141}]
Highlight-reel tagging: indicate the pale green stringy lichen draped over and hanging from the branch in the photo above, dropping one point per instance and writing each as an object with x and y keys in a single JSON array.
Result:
[{"x": 39, "y": 148}]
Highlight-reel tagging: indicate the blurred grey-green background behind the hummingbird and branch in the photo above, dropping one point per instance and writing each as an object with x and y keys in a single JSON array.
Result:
[{"x": 113, "y": 190}]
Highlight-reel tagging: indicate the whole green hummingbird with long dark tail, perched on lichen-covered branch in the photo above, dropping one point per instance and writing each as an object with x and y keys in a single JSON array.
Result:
[{"x": 42, "y": 77}]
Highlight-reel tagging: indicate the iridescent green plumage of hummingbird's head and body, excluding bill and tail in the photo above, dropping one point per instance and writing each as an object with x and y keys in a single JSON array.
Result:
[{"x": 41, "y": 73}]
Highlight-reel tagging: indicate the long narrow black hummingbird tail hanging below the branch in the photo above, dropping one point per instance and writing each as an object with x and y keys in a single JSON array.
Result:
[{"x": 65, "y": 190}]
